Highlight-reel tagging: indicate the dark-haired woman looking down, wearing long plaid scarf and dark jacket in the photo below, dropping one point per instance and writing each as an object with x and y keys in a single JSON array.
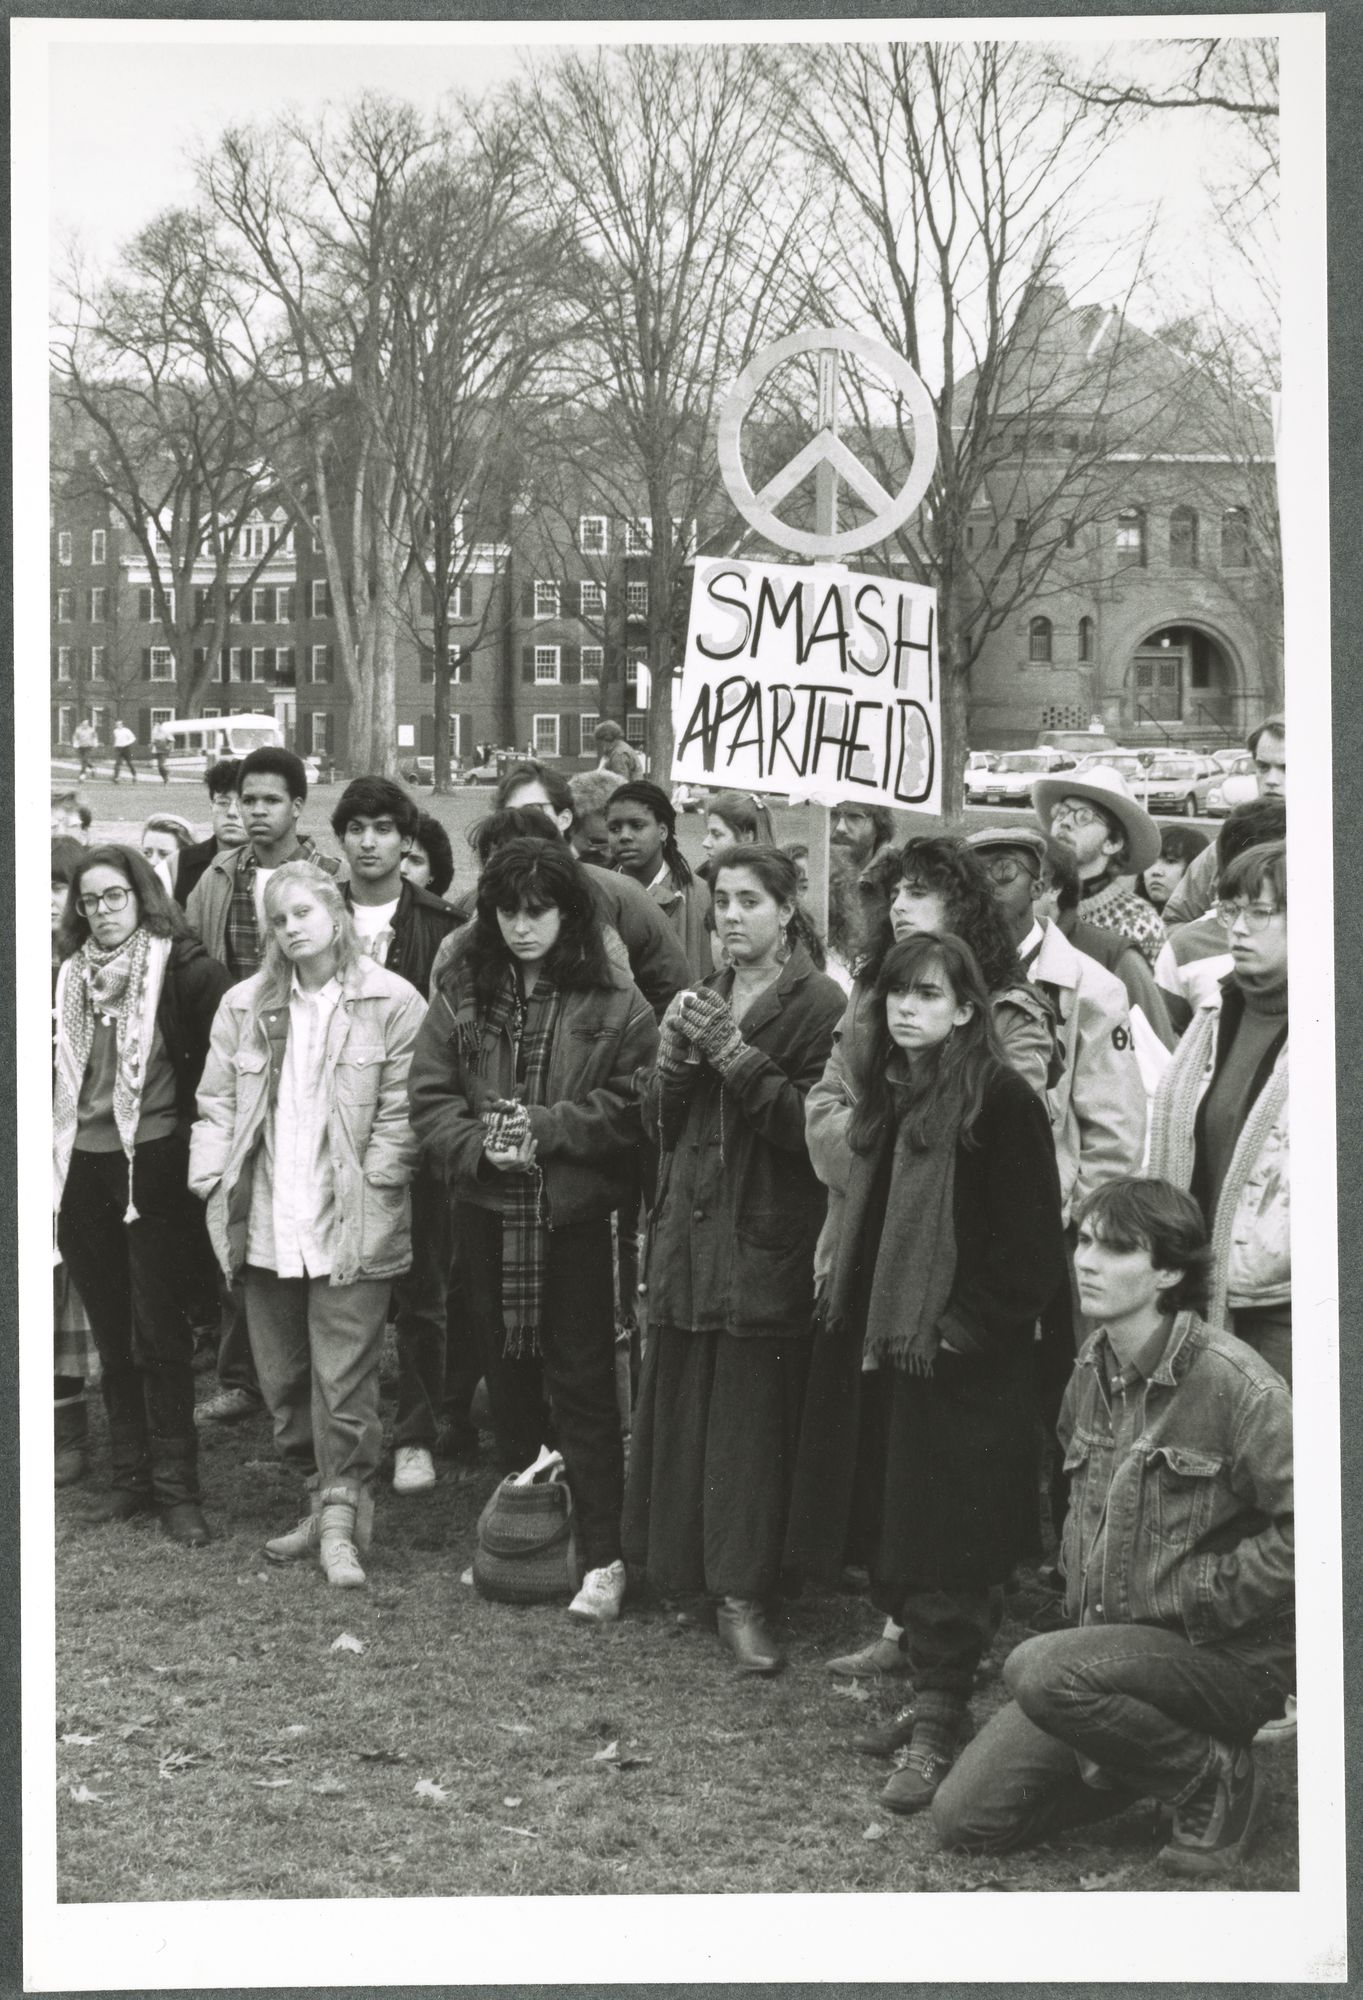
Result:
[{"x": 525, "y": 1095}]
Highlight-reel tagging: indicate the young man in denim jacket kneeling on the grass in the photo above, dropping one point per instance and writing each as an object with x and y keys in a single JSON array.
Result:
[{"x": 1178, "y": 1559}]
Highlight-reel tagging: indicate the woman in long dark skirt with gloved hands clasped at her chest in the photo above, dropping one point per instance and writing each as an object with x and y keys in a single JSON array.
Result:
[{"x": 730, "y": 1267}]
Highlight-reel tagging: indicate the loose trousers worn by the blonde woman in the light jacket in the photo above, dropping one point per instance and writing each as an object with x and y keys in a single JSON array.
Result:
[{"x": 317, "y": 1351}]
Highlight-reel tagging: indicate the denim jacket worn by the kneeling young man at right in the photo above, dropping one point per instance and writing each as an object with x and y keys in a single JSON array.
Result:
[{"x": 1182, "y": 1491}]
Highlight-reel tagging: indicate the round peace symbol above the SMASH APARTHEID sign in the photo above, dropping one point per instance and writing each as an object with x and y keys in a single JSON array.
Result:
[{"x": 826, "y": 455}]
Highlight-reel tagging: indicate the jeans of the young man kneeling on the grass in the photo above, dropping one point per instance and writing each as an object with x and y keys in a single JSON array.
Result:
[{"x": 1136, "y": 1709}]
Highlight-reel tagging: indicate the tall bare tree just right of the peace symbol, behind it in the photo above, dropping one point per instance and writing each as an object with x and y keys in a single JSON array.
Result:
[{"x": 958, "y": 183}]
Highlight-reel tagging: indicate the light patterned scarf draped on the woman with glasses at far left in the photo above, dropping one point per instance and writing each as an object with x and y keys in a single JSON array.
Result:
[{"x": 123, "y": 985}]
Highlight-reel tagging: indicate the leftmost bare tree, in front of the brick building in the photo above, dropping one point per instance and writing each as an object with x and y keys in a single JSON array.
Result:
[{"x": 173, "y": 427}]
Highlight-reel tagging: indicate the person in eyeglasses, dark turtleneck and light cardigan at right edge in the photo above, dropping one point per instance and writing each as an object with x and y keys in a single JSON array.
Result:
[{"x": 1220, "y": 1117}]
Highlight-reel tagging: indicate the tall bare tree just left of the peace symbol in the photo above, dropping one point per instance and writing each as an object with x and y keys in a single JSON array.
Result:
[{"x": 667, "y": 173}]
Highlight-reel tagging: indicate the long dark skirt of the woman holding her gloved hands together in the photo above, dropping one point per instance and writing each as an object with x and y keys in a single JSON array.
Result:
[{"x": 712, "y": 1459}]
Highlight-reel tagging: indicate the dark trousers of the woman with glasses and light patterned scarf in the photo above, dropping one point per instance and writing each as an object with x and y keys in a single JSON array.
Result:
[{"x": 131, "y": 1279}]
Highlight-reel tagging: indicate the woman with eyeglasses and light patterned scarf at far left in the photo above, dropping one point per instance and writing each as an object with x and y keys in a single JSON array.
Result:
[{"x": 135, "y": 1007}]
